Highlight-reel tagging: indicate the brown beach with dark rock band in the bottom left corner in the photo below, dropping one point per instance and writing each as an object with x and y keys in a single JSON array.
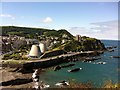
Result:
[{"x": 11, "y": 79}]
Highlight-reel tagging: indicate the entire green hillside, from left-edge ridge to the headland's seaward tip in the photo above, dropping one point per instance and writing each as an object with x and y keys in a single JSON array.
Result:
[{"x": 86, "y": 43}]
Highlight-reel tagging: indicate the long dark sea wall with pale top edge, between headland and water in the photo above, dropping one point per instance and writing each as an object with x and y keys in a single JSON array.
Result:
[{"x": 52, "y": 61}]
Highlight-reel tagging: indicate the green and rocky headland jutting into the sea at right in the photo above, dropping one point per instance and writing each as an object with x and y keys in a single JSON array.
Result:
[{"x": 88, "y": 44}]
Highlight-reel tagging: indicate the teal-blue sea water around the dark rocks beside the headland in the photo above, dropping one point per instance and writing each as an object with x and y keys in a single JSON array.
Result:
[{"x": 97, "y": 74}]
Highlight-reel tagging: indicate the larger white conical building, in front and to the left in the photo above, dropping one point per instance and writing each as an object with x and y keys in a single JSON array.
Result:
[{"x": 35, "y": 51}]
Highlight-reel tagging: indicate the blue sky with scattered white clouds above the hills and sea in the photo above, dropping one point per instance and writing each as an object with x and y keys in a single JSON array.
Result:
[{"x": 93, "y": 19}]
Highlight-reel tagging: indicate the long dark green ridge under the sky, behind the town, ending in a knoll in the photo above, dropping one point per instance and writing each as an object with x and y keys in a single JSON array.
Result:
[{"x": 33, "y": 32}]
